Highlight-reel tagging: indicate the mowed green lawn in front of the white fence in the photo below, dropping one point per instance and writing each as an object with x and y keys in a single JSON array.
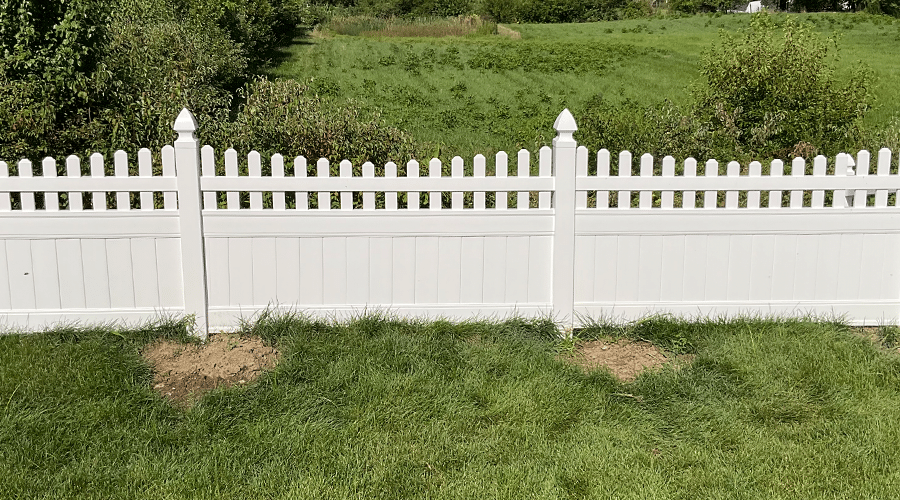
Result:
[{"x": 378, "y": 408}]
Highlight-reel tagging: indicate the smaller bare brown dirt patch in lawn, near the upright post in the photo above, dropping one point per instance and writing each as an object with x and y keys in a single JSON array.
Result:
[{"x": 625, "y": 359}]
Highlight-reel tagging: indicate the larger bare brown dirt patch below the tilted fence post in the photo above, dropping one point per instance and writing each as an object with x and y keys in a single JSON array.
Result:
[{"x": 183, "y": 372}]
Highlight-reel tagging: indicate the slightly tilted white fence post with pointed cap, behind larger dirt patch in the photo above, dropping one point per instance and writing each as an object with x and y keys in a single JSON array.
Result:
[{"x": 190, "y": 214}]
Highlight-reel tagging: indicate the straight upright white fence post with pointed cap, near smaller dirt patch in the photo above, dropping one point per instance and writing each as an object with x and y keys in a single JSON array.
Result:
[{"x": 564, "y": 155}]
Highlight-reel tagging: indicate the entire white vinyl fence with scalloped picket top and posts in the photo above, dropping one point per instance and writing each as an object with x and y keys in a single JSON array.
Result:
[{"x": 573, "y": 242}]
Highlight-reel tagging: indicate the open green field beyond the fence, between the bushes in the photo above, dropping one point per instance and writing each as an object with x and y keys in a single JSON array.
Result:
[{"x": 481, "y": 94}]
